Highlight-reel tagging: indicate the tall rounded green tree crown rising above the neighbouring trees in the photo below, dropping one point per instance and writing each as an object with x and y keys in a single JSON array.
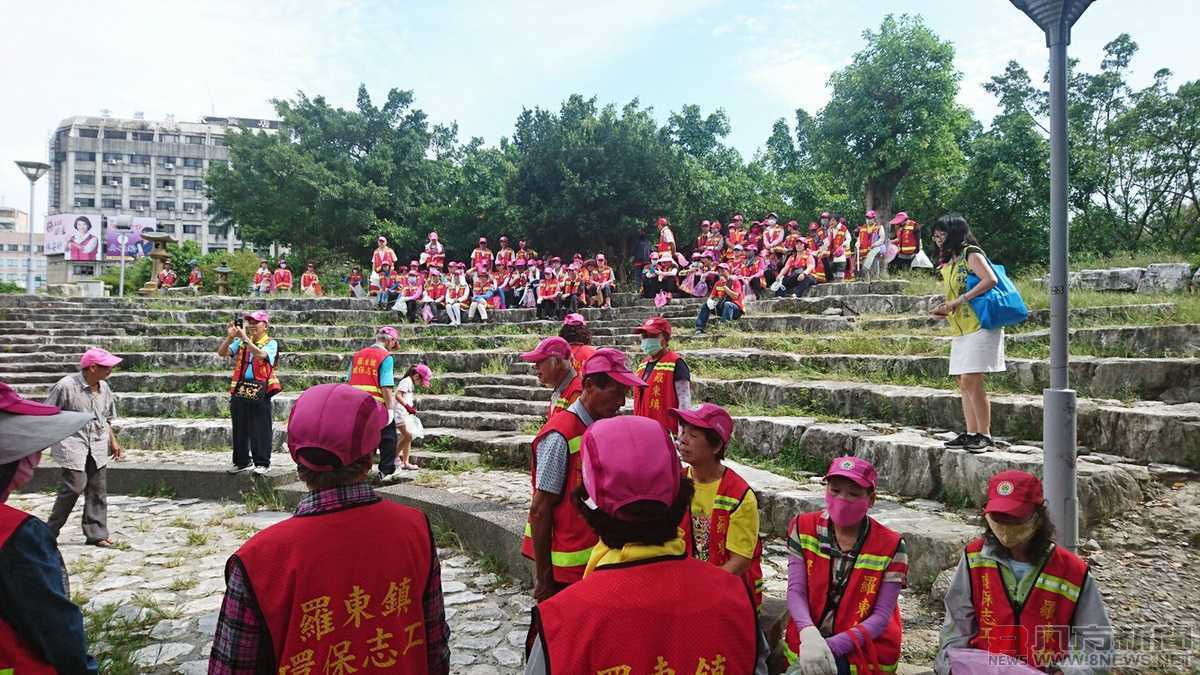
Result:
[{"x": 892, "y": 111}]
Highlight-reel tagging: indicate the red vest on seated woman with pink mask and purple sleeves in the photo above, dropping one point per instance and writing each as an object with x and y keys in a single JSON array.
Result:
[{"x": 859, "y": 599}]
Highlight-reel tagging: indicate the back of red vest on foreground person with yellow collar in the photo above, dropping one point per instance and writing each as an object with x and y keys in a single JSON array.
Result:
[{"x": 652, "y": 620}]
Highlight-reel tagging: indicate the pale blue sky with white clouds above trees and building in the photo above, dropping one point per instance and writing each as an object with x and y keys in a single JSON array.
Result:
[{"x": 482, "y": 63}]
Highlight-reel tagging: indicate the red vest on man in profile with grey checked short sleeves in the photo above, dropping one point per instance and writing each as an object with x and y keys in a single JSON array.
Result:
[{"x": 572, "y": 539}]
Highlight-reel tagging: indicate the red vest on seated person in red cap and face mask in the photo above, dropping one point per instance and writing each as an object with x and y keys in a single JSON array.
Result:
[{"x": 1039, "y": 630}]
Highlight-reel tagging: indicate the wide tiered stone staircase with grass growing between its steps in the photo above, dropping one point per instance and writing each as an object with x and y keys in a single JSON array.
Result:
[{"x": 799, "y": 404}]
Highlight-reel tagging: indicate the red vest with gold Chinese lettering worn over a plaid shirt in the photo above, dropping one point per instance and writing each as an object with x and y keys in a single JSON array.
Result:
[{"x": 328, "y": 599}]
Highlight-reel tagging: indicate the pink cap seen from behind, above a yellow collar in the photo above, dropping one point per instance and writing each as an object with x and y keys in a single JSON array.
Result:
[{"x": 629, "y": 459}]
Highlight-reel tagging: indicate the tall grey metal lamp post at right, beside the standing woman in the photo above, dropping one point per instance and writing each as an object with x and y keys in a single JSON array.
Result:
[{"x": 1055, "y": 19}]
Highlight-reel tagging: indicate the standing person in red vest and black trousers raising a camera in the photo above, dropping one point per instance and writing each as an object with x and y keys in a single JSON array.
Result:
[{"x": 254, "y": 384}]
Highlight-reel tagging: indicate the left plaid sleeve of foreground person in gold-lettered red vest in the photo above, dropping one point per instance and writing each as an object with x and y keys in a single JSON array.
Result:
[{"x": 241, "y": 644}]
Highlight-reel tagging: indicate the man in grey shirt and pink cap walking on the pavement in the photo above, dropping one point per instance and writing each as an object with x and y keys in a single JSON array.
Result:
[{"x": 83, "y": 457}]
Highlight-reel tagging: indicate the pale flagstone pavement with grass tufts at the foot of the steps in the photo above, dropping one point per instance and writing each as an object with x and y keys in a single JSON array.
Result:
[{"x": 153, "y": 604}]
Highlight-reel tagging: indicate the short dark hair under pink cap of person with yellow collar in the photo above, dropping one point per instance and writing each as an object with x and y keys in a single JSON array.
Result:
[{"x": 640, "y": 523}]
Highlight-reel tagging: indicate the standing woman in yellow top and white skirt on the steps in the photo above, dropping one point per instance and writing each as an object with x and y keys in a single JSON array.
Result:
[{"x": 974, "y": 350}]
